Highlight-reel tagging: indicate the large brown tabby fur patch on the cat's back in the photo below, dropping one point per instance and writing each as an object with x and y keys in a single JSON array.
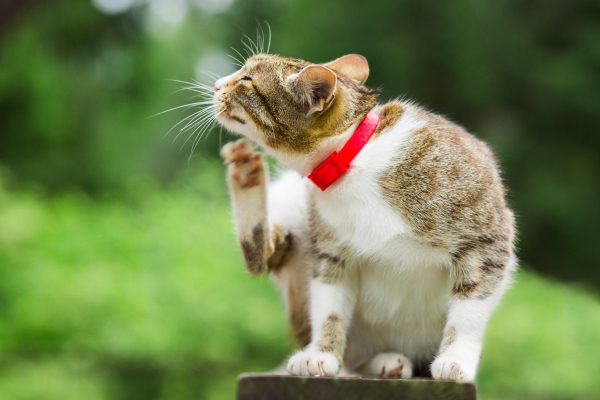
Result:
[{"x": 445, "y": 182}]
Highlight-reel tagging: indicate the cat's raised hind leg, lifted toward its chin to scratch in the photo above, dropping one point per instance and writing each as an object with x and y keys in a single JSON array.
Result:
[{"x": 263, "y": 245}]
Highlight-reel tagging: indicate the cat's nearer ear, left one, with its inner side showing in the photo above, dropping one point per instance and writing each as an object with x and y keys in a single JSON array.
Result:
[{"x": 315, "y": 85}]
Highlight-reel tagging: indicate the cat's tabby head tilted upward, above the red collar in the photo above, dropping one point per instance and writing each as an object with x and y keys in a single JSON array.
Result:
[{"x": 290, "y": 105}]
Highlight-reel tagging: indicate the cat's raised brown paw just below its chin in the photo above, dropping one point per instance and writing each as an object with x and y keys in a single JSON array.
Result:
[{"x": 246, "y": 167}]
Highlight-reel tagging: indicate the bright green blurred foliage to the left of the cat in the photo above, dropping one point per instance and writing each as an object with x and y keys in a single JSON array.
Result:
[{"x": 135, "y": 299}]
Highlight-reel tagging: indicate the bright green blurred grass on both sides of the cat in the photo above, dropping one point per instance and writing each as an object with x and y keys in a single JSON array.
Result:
[{"x": 147, "y": 297}]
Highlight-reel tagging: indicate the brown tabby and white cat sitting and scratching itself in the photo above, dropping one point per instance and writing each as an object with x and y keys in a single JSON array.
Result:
[{"x": 394, "y": 270}]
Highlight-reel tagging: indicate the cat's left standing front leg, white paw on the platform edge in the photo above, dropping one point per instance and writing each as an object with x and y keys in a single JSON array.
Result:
[{"x": 332, "y": 301}]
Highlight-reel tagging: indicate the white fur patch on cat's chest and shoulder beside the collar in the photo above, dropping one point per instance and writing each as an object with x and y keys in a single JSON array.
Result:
[{"x": 354, "y": 208}]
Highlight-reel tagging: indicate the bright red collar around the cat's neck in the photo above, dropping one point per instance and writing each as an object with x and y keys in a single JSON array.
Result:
[{"x": 337, "y": 164}]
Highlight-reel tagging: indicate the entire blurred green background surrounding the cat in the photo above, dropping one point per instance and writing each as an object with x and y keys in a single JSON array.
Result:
[{"x": 119, "y": 274}]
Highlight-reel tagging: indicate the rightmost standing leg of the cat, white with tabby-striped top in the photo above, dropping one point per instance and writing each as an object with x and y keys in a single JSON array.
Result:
[{"x": 481, "y": 278}]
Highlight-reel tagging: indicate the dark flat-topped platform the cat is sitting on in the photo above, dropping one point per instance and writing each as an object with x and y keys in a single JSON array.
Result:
[{"x": 283, "y": 387}]
